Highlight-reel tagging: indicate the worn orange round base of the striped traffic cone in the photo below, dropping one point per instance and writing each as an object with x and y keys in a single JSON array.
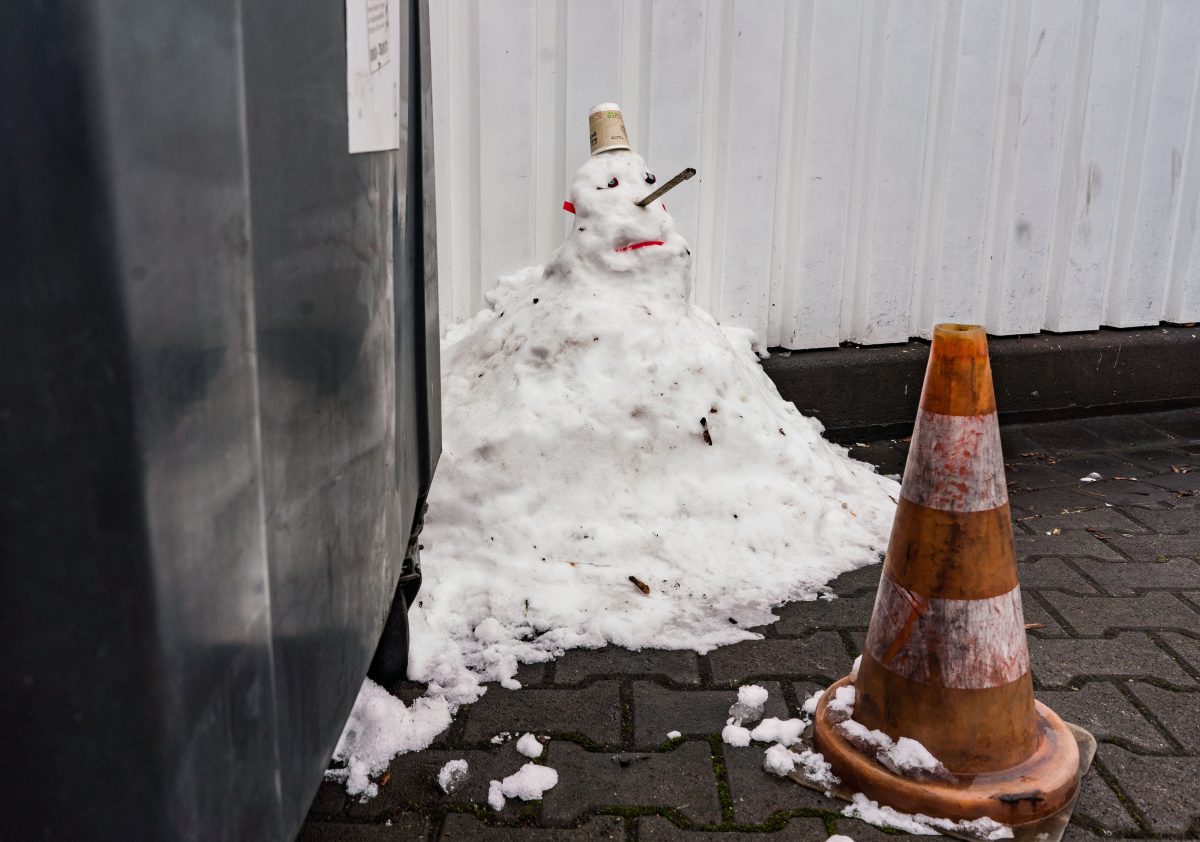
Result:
[{"x": 1029, "y": 792}]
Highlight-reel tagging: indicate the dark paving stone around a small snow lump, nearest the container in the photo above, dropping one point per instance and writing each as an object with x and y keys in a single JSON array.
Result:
[{"x": 413, "y": 781}]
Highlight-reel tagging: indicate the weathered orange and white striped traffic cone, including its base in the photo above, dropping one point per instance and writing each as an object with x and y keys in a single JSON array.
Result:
[{"x": 946, "y": 661}]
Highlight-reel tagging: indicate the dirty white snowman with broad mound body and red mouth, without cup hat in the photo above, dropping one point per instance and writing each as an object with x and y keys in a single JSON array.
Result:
[{"x": 617, "y": 468}]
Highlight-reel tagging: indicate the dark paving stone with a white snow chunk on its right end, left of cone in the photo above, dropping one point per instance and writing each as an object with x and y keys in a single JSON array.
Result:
[{"x": 659, "y": 711}]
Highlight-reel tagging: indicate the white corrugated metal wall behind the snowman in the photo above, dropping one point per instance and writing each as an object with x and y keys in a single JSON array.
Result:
[{"x": 867, "y": 167}]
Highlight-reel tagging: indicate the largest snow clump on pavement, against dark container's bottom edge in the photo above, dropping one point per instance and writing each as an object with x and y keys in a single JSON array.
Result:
[{"x": 381, "y": 727}]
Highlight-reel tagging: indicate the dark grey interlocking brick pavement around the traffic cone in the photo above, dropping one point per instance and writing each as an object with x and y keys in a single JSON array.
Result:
[{"x": 1111, "y": 568}]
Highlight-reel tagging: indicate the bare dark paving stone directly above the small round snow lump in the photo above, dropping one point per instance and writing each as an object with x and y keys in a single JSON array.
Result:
[{"x": 593, "y": 712}]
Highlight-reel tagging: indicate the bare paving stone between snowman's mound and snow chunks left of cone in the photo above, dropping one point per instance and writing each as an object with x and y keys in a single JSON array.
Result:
[{"x": 820, "y": 655}]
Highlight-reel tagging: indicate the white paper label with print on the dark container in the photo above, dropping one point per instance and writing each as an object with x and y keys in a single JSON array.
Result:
[{"x": 374, "y": 37}]
